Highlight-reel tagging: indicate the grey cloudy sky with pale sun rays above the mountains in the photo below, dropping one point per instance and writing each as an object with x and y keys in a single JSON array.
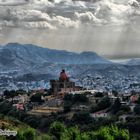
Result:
[{"x": 108, "y": 27}]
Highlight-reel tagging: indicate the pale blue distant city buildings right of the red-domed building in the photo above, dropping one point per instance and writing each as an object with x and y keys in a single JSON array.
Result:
[{"x": 122, "y": 84}]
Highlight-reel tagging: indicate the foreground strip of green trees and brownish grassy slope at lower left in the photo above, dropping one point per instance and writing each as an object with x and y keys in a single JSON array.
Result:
[{"x": 58, "y": 131}]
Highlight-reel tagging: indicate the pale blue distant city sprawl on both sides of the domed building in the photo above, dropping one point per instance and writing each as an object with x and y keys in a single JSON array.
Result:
[{"x": 106, "y": 83}]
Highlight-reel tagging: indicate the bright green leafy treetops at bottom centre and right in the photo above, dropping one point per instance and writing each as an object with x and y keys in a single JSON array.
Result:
[{"x": 61, "y": 132}]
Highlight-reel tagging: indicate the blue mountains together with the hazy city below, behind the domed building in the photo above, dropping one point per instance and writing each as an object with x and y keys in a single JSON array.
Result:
[{"x": 22, "y": 64}]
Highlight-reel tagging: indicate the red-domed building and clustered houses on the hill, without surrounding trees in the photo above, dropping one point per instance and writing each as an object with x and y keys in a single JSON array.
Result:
[{"x": 53, "y": 102}]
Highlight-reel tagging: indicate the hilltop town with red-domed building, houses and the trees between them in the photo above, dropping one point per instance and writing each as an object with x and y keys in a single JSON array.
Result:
[{"x": 62, "y": 91}]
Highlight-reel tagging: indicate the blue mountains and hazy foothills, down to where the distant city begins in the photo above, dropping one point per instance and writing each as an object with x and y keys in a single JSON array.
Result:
[{"x": 32, "y": 59}]
